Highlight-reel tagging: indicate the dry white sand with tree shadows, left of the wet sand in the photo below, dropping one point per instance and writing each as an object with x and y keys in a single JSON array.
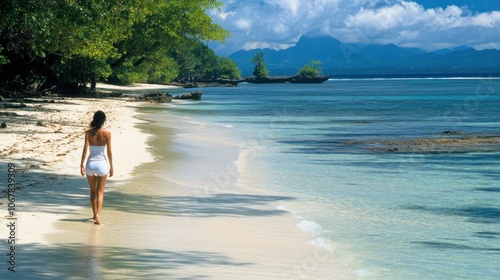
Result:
[{"x": 46, "y": 157}]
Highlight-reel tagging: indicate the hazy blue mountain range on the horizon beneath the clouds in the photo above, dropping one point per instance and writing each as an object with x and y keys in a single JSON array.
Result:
[{"x": 372, "y": 60}]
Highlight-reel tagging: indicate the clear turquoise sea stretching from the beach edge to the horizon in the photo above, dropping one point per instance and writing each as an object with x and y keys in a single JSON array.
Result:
[{"x": 388, "y": 215}]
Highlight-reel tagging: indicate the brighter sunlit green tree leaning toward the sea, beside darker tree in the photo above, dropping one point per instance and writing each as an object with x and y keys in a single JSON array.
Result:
[{"x": 161, "y": 31}]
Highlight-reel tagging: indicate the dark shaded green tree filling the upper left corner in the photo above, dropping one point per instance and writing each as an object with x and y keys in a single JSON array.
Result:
[{"x": 60, "y": 41}]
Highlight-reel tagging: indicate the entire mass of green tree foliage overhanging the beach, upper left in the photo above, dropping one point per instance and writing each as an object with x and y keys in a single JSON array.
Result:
[{"x": 46, "y": 42}]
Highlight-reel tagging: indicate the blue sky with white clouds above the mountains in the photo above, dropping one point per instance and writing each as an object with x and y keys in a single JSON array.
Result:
[{"x": 425, "y": 24}]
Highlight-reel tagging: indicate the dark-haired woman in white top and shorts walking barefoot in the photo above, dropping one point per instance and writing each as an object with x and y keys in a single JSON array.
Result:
[{"x": 97, "y": 169}]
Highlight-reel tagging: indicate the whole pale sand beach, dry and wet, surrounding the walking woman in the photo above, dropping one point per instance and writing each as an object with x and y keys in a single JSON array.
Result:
[{"x": 153, "y": 227}]
